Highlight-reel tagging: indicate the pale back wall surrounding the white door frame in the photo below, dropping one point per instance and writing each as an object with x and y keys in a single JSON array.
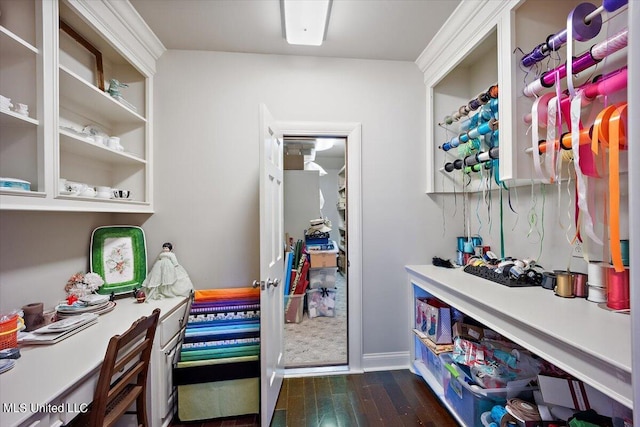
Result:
[{"x": 206, "y": 163}]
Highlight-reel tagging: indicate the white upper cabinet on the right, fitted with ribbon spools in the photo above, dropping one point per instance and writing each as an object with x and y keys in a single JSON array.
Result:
[{"x": 481, "y": 45}]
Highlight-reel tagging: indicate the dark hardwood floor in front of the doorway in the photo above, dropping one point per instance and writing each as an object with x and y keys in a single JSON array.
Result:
[{"x": 384, "y": 399}]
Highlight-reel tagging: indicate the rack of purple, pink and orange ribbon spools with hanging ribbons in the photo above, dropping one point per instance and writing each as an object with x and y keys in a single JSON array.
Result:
[{"x": 587, "y": 119}]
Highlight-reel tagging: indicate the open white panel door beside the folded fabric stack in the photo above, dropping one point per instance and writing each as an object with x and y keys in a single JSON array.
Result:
[{"x": 271, "y": 266}]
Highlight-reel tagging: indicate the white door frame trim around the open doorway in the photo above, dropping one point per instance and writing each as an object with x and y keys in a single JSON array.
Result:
[{"x": 351, "y": 132}]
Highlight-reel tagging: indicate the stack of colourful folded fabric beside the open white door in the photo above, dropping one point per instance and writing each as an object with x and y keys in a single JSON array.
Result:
[{"x": 218, "y": 374}]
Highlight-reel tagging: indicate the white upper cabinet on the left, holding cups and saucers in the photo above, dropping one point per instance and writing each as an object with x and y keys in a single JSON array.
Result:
[{"x": 84, "y": 136}]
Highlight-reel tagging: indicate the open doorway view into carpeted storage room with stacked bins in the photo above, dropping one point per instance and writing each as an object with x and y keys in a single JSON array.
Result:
[{"x": 315, "y": 332}]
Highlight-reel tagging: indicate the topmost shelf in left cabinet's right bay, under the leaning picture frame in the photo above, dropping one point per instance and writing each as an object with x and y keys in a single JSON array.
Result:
[{"x": 77, "y": 94}]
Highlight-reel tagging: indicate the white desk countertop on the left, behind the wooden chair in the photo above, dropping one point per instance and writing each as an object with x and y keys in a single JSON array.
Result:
[{"x": 44, "y": 373}]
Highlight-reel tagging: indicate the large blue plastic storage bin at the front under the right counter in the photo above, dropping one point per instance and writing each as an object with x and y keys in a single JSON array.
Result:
[{"x": 469, "y": 402}]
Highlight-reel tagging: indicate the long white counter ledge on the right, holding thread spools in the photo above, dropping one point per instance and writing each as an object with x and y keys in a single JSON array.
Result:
[{"x": 576, "y": 335}]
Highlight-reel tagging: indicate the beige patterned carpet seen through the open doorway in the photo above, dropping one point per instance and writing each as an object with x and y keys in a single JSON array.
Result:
[{"x": 319, "y": 341}]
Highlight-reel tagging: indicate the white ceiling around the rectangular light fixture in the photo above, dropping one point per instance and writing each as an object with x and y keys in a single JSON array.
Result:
[{"x": 365, "y": 29}]
